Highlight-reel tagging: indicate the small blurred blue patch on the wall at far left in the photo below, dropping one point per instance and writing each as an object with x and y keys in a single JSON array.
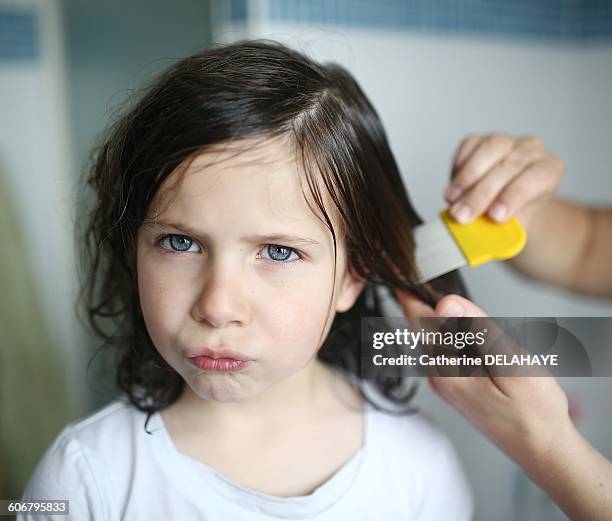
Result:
[{"x": 18, "y": 35}]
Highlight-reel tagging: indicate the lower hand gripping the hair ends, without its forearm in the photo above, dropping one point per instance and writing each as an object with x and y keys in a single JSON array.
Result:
[{"x": 526, "y": 417}]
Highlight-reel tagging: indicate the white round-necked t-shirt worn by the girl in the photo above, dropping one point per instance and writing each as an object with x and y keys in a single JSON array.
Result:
[{"x": 110, "y": 469}]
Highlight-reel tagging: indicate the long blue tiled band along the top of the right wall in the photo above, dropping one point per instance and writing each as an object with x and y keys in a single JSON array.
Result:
[{"x": 562, "y": 20}]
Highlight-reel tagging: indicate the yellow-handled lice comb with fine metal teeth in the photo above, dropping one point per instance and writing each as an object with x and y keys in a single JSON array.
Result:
[{"x": 444, "y": 244}]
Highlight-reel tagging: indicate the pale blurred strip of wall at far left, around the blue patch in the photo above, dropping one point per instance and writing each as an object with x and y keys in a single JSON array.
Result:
[{"x": 35, "y": 151}]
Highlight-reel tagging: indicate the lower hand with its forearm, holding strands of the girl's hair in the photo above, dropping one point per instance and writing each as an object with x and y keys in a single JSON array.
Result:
[{"x": 528, "y": 419}]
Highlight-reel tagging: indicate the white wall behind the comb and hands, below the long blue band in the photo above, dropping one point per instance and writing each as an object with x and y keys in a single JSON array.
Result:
[{"x": 430, "y": 92}]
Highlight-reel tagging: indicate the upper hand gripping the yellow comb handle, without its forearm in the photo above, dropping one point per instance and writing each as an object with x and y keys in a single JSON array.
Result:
[{"x": 501, "y": 175}]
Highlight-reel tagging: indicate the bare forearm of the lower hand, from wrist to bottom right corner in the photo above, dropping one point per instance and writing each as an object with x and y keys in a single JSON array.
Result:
[{"x": 578, "y": 478}]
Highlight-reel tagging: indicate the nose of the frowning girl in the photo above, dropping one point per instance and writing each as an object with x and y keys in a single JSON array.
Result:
[{"x": 221, "y": 300}]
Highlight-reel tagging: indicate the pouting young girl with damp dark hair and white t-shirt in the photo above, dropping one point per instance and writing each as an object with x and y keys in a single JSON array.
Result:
[{"x": 247, "y": 207}]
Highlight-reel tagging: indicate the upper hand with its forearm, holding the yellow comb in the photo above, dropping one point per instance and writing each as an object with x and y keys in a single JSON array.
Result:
[{"x": 504, "y": 176}]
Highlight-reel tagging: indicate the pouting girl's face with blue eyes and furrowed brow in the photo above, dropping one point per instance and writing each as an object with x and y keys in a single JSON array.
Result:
[{"x": 236, "y": 260}]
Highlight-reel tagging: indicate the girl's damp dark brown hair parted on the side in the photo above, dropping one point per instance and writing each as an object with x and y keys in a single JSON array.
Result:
[{"x": 228, "y": 93}]
